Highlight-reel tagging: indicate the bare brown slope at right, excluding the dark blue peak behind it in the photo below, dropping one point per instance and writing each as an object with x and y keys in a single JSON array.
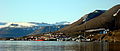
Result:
[{"x": 105, "y": 20}]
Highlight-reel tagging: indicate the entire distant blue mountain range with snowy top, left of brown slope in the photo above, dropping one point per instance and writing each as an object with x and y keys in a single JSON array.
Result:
[{"x": 19, "y": 29}]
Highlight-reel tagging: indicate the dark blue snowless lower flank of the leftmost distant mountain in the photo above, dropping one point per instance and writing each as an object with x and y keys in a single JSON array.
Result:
[{"x": 15, "y": 32}]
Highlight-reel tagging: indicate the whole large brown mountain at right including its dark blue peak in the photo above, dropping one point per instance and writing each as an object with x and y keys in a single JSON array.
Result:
[{"x": 109, "y": 19}]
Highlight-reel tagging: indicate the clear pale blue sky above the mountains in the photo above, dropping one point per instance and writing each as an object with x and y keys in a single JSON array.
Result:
[{"x": 50, "y": 11}]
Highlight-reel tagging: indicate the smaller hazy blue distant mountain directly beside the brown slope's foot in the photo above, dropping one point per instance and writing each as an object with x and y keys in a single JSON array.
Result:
[{"x": 45, "y": 28}]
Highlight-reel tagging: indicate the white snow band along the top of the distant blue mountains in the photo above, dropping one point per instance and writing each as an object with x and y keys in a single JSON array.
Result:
[{"x": 29, "y": 24}]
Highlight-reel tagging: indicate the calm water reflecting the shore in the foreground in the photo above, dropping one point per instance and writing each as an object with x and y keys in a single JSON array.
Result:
[{"x": 55, "y": 46}]
